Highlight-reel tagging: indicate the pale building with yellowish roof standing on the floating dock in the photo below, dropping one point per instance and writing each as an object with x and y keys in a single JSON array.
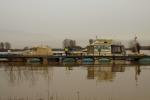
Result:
[{"x": 105, "y": 47}]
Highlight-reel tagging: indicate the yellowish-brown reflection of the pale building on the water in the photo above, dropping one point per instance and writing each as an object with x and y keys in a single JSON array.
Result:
[{"x": 105, "y": 72}]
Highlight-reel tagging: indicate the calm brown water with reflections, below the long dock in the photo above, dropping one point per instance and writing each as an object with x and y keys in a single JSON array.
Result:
[{"x": 88, "y": 82}]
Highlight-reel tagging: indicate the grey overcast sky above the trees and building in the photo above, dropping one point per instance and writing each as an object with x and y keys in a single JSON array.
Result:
[{"x": 49, "y": 22}]
